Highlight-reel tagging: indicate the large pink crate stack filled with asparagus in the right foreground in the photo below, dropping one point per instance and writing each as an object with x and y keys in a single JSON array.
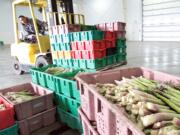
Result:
[{"x": 134, "y": 101}]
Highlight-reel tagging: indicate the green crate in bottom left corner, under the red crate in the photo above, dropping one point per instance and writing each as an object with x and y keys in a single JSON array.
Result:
[{"x": 10, "y": 131}]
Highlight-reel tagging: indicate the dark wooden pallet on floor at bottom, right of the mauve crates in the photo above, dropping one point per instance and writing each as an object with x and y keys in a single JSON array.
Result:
[{"x": 54, "y": 129}]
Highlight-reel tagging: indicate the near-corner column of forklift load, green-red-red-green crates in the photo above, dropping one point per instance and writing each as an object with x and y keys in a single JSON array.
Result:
[{"x": 88, "y": 49}]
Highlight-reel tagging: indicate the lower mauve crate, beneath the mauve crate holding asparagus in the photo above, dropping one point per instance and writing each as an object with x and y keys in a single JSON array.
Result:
[{"x": 37, "y": 121}]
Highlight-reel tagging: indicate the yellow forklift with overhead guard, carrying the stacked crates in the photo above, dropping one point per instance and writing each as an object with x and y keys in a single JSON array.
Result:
[{"x": 27, "y": 55}]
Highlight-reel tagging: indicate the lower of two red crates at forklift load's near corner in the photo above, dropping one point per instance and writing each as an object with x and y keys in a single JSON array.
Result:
[{"x": 95, "y": 54}]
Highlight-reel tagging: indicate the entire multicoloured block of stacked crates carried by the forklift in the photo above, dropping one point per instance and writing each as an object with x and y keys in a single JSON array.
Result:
[{"x": 88, "y": 47}]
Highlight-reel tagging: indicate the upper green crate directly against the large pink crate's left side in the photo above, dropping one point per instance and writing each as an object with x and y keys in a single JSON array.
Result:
[{"x": 66, "y": 86}]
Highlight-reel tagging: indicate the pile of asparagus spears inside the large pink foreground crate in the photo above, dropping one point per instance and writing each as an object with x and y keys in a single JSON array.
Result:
[{"x": 154, "y": 106}]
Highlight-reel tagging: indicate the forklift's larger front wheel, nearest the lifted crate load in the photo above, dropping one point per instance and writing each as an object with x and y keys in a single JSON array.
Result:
[{"x": 42, "y": 61}]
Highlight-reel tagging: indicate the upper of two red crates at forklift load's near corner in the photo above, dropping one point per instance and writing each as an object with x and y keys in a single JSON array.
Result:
[{"x": 94, "y": 45}]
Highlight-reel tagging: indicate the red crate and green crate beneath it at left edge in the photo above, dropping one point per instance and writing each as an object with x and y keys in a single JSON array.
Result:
[{"x": 8, "y": 125}]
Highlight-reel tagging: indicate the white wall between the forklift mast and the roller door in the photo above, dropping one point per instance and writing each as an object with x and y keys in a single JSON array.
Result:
[{"x": 99, "y": 11}]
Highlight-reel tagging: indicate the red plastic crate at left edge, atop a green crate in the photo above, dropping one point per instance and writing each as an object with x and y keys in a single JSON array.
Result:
[{"x": 7, "y": 115}]
